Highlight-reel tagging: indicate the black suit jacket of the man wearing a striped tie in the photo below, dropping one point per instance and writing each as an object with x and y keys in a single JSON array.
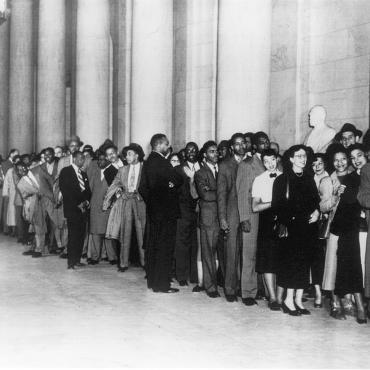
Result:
[{"x": 71, "y": 191}]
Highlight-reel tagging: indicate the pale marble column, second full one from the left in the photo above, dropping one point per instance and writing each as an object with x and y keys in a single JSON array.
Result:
[{"x": 51, "y": 88}]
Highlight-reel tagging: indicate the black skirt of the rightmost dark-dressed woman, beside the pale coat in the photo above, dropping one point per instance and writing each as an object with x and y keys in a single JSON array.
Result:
[{"x": 349, "y": 271}]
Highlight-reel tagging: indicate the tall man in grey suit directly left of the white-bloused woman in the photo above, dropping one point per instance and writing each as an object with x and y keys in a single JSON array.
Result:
[{"x": 248, "y": 170}]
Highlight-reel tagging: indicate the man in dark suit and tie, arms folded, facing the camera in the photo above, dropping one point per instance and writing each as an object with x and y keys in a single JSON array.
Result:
[{"x": 206, "y": 184}]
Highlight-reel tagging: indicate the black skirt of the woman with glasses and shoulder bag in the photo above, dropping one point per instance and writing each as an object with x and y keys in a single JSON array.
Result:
[{"x": 295, "y": 254}]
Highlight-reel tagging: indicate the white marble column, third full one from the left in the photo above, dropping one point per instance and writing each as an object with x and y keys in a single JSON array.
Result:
[{"x": 92, "y": 71}]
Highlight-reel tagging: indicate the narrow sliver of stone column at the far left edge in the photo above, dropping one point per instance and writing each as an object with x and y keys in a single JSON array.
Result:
[{"x": 4, "y": 90}]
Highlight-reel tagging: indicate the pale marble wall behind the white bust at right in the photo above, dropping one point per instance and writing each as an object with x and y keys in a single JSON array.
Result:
[{"x": 320, "y": 55}]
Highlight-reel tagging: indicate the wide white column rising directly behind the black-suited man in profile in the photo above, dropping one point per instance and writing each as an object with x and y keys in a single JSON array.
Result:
[{"x": 151, "y": 84}]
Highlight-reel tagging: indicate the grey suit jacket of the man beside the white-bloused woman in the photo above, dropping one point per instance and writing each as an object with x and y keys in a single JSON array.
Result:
[{"x": 248, "y": 170}]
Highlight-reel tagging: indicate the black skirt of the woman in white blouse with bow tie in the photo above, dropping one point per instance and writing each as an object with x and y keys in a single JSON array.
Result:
[{"x": 267, "y": 245}]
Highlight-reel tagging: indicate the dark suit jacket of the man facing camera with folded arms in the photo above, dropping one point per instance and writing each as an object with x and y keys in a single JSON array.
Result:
[{"x": 206, "y": 185}]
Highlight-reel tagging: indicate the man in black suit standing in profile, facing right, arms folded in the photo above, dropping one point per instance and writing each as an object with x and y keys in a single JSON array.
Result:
[{"x": 159, "y": 188}]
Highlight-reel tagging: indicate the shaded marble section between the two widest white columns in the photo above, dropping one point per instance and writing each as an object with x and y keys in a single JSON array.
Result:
[{"x": 195, "y": 71}]
